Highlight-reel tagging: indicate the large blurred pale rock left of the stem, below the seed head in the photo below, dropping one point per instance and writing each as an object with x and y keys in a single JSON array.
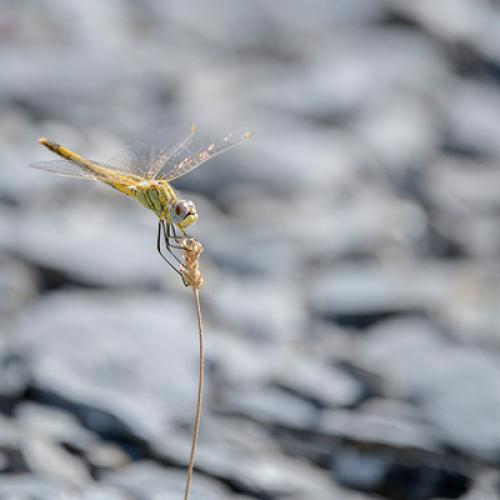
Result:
[{"x": 123, "y": 364}]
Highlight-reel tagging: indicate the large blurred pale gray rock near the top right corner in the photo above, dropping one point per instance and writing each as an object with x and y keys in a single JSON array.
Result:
[{"x": 350, "y": 73}]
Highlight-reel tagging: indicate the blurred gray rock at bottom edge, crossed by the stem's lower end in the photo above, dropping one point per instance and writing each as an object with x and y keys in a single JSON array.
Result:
[{"x": 245, "y": 456}]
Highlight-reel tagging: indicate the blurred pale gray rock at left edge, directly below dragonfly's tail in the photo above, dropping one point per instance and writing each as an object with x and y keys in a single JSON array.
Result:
[{"x": 55, "y": 242}]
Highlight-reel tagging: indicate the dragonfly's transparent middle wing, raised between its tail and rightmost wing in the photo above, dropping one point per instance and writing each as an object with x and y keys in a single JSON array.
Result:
[{"x": 145, "y": 158}]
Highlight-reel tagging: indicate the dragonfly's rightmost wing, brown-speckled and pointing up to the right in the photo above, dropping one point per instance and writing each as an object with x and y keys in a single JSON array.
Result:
[{"x": 173, "y": 168}]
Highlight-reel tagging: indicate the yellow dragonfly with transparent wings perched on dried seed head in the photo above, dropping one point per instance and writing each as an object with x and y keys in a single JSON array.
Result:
[{"x": 144, "y": 171}]
